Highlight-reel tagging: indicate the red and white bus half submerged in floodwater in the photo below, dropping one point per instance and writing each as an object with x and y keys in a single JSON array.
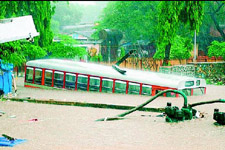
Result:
[{"x": 73, "y": 75}]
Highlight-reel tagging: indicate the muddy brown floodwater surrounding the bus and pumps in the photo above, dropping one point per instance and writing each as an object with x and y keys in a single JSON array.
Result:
[{"x": 74, "y": 128}]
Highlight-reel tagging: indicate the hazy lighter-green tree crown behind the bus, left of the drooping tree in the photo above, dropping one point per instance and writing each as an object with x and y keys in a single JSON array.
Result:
[{"x": 137, "y": 20}]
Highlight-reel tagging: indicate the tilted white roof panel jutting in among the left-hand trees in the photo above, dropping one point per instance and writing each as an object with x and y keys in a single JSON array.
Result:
[{"x": 18, "y": 28}]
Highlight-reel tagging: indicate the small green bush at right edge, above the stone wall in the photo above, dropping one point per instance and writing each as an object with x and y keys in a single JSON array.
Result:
[{"x": 217, "y": 49}]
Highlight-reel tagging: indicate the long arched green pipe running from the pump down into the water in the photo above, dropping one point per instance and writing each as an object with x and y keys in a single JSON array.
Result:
[{"x": 147, "y": 102}]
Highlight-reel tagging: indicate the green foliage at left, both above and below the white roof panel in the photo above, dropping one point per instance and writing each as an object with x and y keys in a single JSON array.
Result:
[{"x": 18, "y": 52}]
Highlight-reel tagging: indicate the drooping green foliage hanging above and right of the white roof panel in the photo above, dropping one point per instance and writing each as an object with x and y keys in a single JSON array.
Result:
[{"x": 41, "y": 12}]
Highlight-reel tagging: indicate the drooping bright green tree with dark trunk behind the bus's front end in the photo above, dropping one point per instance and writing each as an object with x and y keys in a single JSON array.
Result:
[{"x": 171, "y": 15}]
